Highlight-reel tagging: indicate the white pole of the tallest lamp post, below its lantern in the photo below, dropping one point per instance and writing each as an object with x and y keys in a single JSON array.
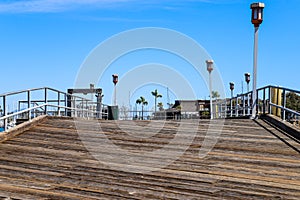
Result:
[{"x": 254, "y": 94}]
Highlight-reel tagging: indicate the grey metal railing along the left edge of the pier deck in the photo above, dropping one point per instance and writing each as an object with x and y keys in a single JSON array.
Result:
[{"x": 32, "y": 103}]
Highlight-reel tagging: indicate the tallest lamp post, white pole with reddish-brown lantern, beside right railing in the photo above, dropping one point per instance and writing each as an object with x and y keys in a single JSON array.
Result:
[{"x": 257, "y": 18}]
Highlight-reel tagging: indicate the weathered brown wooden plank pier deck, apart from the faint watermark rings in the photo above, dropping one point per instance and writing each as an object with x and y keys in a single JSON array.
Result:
[{"x": 251, "y": 160}]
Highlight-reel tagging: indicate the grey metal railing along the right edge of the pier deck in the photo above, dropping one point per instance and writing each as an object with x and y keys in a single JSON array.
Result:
[{"x": 278, "y": 101}]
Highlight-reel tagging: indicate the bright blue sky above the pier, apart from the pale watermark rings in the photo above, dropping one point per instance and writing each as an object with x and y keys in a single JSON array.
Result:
[{"x": 44, "y": 42}]
